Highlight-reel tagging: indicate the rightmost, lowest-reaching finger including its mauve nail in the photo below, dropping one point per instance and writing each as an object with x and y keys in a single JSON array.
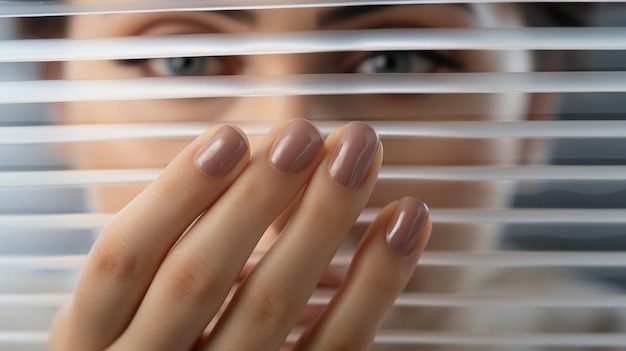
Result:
[{"x": 380, "y": 269}]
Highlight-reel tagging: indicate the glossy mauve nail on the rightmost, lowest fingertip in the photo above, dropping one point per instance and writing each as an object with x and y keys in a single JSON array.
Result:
[{"x": 407, "y": 225}]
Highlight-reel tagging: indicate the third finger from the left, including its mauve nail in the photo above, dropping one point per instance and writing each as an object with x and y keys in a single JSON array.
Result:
[{"x": 270, "y": 300}]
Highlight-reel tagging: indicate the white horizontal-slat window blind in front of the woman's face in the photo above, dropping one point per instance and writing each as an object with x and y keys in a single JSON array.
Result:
[{"x": 566, "y": 215}]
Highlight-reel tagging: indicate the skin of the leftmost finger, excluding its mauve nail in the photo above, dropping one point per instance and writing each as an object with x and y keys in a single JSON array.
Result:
[{"x": 130, "y": 249}]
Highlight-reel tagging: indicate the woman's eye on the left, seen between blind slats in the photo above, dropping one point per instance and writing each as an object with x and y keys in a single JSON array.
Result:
[{"x": 185, "y": 66}]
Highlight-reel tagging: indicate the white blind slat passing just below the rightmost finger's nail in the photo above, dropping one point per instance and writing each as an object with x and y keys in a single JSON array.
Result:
[{"x": 499, "y": 259}]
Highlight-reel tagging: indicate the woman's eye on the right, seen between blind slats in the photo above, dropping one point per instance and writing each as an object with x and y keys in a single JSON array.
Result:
[{"x": 406, "y": 62}]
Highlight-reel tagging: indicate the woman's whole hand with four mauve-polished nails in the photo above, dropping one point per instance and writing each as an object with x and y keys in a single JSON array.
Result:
[{"x": 162, "y": 268}]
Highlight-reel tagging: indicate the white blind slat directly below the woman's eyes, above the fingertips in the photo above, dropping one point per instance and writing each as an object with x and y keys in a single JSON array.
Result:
[{"x": 294, "y": 85}]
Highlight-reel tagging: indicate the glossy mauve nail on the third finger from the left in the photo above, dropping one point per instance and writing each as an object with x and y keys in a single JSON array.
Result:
[{"x": 354, "y": 153}]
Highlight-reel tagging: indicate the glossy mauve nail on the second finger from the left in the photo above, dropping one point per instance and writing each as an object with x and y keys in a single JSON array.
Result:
[{"x": 295, "y": 146}]
